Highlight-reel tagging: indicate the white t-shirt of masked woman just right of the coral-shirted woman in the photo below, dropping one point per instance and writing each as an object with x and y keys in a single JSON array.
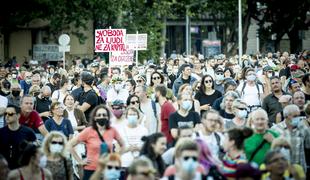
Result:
[{"x": 131, "y": 137}]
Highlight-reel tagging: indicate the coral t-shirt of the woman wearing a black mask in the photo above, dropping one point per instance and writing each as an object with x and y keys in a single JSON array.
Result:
[{"x": 92, "y": 141}]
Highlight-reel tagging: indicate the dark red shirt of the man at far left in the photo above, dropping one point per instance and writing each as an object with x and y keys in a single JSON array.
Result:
[{"x": 33, "y": 120}]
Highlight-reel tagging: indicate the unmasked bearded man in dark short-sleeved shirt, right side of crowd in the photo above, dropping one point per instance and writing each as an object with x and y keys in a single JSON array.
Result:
[{"x": 271, "y": 102}]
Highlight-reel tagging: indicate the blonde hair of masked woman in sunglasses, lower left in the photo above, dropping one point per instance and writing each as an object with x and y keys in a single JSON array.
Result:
[{"x": 48, "y": 139}]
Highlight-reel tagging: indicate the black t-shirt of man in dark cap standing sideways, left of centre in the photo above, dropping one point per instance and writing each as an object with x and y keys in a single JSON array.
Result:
[{"x": 91, "y": 98}]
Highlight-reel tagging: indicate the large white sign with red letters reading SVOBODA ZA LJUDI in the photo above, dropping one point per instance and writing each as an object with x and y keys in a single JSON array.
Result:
[{"x": 110, "y": 40}]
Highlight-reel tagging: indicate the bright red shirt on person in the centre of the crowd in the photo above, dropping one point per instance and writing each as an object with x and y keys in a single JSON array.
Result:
[{"x": 166, "y": 109}]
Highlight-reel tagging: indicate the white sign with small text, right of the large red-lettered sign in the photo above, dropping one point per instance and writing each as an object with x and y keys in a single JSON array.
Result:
[{"x": 136, "y": 41}]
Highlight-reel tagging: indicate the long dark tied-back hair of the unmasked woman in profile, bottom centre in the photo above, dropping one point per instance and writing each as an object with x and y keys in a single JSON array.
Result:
[{"x": 148, "y": 151}]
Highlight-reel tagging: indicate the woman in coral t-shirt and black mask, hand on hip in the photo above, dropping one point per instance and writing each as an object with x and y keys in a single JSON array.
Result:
[{"x": 100, "y": 134}]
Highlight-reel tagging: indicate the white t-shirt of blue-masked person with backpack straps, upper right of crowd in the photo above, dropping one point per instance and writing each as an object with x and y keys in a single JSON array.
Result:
[{"x": 250, "y": 94}]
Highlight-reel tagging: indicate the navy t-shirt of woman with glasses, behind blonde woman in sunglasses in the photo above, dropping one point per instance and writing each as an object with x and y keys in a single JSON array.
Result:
[{"x": 65, "y": 126}]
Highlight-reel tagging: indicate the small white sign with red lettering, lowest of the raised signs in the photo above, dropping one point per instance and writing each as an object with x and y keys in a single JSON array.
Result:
[{"x": 122, "y": 58}]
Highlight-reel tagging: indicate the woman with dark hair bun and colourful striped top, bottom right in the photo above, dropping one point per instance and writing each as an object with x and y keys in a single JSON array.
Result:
[{"x": 233, "y": 146}]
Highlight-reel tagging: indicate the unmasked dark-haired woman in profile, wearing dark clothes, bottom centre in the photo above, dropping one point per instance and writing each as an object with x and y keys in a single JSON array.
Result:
[{"x": 154, "y": 146}]
